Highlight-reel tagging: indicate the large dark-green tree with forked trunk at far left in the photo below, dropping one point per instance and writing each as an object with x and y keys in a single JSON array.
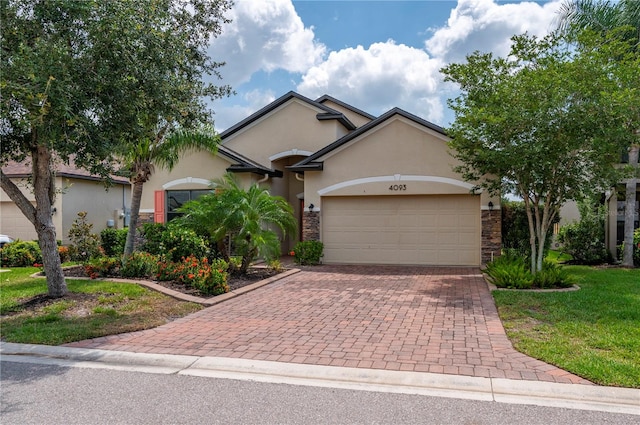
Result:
[{"x": 81, "y": 79}]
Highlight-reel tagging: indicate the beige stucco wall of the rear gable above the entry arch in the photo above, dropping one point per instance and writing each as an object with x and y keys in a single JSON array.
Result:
[{"x": 291, "y": 126}]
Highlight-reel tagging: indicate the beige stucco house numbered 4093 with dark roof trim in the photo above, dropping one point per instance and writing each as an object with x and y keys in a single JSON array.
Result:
[{"x": 374, "y": 190}]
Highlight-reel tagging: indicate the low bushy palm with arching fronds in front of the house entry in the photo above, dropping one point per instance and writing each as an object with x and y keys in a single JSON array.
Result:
[{"x": 245, "y": 217}]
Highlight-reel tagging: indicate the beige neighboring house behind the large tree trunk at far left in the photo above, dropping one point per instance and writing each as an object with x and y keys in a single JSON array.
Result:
[{"x": 77, "y": 191}]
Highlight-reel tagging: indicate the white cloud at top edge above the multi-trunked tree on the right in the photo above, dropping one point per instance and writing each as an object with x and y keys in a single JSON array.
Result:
[{"x": 487, "y": 26}]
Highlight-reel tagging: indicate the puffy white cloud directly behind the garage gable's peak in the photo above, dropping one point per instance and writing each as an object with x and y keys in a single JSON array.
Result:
[{"x": 378, "y": 78}]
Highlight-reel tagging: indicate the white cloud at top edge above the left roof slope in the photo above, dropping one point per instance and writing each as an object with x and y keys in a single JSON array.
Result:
[{"x": 264, "y": 35}]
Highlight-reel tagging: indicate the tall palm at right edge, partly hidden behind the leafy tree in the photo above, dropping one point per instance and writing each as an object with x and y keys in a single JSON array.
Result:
[{"x": 604, "y": 16}]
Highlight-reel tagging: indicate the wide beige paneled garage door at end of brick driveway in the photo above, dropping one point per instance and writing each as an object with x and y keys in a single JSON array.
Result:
[{"x": 428, "y": 230}]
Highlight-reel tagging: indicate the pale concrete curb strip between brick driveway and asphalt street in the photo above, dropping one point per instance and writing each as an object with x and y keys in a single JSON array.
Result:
[{"x": 572, "y": 396}]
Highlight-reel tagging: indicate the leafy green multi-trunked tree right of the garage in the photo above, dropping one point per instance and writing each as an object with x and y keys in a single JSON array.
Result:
[{"x": 546, "y": 123}]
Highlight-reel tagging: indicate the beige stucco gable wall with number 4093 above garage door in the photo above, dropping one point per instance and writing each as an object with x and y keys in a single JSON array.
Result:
[{"x": 399, "y": 152}]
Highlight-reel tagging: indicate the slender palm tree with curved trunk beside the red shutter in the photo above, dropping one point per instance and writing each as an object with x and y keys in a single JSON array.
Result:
[{"x": 164, "y": 151}]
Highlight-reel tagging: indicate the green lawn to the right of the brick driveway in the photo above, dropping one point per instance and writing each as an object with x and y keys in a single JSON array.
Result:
[{"x": 593, "y": 332}]
